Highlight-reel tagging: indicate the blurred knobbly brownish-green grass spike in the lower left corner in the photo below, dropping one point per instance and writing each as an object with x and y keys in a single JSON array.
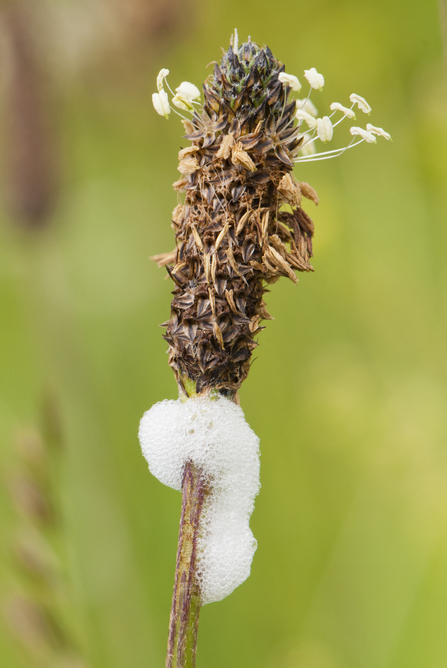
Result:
[{"x": 36, "y": 618}]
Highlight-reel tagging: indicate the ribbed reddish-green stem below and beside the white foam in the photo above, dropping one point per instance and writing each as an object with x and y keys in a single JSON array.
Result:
[{"x": 186, "y": 601}]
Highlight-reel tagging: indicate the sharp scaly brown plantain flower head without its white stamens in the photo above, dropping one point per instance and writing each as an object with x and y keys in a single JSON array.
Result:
[{"x": 233, "y": 235}]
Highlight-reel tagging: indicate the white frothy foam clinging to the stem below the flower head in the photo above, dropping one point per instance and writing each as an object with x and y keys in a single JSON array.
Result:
[{"x": 215, "y": 436}]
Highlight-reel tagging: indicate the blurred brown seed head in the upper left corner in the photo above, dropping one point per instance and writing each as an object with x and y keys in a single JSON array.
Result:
[{"x": 32, "y": 181}]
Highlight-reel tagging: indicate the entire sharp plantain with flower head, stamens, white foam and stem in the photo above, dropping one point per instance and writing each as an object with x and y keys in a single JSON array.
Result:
[{"x": 239, "y": 227}]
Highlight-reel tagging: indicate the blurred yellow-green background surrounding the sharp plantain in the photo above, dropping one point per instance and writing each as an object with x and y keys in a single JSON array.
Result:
[{"x": 348, "y": 396}]
